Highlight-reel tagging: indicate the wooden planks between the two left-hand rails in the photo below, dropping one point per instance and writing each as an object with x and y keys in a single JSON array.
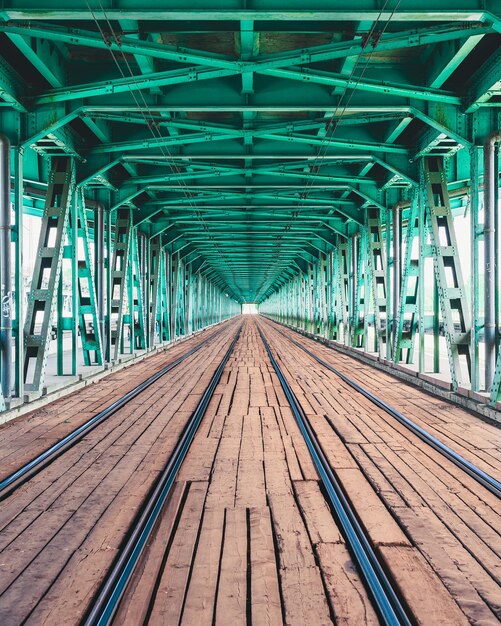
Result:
[{"x": 60, "y": 531}]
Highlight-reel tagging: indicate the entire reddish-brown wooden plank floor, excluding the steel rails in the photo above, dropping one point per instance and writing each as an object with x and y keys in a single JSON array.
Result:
[{"x": 247, "y": 536}]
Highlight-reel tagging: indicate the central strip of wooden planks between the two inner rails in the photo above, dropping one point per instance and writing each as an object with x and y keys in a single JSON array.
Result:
[{"x": 251, "y": 554}]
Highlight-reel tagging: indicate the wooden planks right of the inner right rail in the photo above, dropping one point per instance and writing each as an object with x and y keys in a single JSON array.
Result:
[{"x": 451, "y": 522}]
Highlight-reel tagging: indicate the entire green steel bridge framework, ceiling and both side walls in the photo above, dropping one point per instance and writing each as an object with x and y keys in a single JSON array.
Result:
[{"x": 314, "y": 160}]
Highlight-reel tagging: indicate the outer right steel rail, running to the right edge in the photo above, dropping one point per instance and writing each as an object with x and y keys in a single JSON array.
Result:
[{"x": 487, "y": 481}]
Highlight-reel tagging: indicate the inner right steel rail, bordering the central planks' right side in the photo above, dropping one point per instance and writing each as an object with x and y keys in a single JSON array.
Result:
[{"x": 381, "y": 589}]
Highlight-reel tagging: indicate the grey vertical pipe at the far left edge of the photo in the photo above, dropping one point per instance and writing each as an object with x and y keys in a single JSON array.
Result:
[{"x": 5, "y": 270}]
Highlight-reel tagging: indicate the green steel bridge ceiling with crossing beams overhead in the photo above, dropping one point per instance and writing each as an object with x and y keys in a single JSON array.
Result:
[{"x": 249, "y": 137}]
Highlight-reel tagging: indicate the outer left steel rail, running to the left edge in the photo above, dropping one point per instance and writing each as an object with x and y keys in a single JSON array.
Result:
[{"x": 12, "y": 482}]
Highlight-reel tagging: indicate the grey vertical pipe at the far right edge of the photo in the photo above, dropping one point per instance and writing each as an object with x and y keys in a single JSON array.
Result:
[{"x": 490, "y": 184}]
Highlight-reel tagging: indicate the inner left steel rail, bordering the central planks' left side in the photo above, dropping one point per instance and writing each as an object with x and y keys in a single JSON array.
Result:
[{"x": 108, "y": 599}]
